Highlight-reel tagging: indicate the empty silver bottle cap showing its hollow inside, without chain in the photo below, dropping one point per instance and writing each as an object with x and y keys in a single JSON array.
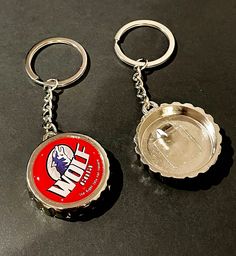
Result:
[{"x": 178, "y": 140}]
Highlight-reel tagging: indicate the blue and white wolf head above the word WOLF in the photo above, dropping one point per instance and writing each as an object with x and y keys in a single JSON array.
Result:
[{"x": 60, "y": 159}]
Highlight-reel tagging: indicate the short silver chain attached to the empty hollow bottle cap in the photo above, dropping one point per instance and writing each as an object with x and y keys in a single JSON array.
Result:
[{"x": 139, "y": 85}]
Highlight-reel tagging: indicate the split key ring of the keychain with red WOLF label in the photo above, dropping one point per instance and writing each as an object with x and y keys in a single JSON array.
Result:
[{"x": 50, "y": 41}]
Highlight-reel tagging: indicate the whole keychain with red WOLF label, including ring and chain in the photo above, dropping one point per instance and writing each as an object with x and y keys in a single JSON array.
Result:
[{"x": 67, "y": 171}]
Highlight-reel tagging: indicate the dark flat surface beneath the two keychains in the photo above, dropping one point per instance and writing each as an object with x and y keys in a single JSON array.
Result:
[{"x": 147, "y": 217}]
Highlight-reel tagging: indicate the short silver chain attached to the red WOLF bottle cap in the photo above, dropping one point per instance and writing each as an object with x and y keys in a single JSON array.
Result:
[{"x": 48, "y": 125}]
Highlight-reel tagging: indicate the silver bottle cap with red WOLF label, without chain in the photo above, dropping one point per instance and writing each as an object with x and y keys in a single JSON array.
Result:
[{"x": 66, "y": 173}]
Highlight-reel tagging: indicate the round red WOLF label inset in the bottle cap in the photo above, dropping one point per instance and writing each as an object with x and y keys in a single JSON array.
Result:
[{"x": 67, "y": 169}]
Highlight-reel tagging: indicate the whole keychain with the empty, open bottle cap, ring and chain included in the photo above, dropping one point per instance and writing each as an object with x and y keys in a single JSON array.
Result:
[{"x": 176, "y": 140}]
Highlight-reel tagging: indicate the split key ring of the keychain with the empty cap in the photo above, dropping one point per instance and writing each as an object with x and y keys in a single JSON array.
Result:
[{"x": 144, "y": 23}]
